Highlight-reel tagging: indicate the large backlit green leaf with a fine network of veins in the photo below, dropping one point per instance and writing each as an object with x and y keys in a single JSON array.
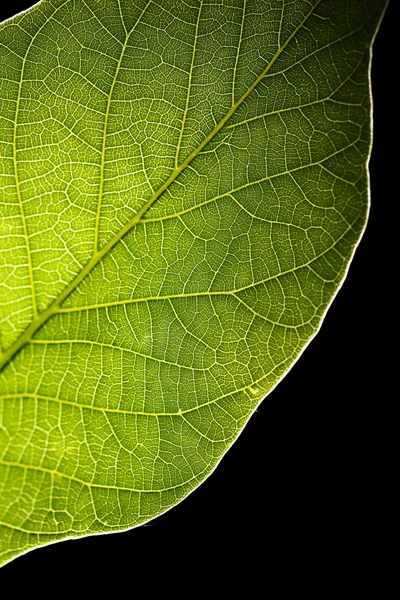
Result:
[{"x": 183, "y": 187}]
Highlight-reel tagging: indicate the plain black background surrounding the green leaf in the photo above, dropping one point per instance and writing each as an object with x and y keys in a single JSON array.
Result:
[{"x": 301, "y": 482}]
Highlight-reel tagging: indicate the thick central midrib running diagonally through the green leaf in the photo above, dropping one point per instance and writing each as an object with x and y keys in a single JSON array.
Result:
[{"x": 99, "y": 255}]
